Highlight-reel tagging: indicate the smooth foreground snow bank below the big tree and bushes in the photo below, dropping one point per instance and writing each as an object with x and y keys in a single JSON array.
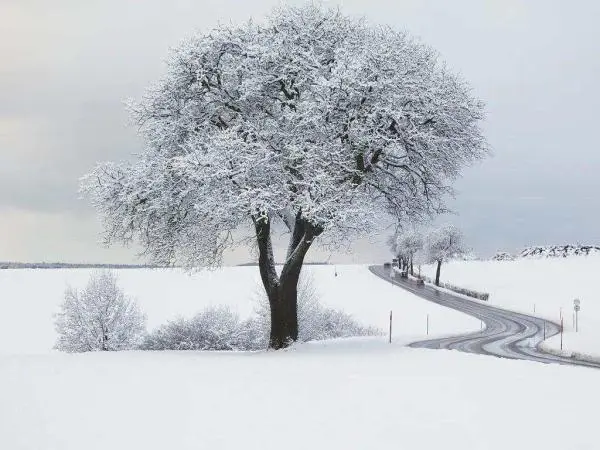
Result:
[{"x": 352, "y": 395}]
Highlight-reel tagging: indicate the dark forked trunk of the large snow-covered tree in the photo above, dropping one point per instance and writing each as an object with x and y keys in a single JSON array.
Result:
[{"x": 282, "y": 291}]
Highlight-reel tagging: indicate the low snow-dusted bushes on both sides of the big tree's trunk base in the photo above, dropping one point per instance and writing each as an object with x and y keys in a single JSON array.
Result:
[{"x": 221, "y": 329}]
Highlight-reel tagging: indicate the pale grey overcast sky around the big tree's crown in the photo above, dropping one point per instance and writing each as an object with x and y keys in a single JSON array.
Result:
[{"x": 67, "y": 65}]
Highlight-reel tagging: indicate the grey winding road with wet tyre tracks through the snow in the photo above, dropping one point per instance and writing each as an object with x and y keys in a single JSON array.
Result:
[{"x": 507, "y": 334}]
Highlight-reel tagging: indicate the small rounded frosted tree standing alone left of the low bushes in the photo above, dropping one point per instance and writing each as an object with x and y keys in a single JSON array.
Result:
[{"x": 99, "y": 318}]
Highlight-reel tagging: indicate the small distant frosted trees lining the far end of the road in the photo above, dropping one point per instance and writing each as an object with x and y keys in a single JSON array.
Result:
[{"x": 413, "y": 246}]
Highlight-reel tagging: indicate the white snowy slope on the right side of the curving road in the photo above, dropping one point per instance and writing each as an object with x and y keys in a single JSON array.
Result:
[{"x": 545, "y": 287}]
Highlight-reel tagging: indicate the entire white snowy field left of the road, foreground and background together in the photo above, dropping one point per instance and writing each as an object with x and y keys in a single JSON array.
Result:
[{"x": 346, "y": 394}]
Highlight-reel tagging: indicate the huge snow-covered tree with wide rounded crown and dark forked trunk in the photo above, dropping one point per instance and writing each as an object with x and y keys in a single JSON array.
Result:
[{"x": 312, "y": 119}]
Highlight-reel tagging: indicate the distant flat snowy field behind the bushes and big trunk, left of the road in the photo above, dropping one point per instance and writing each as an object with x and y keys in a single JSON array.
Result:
[{"x": 29, "y": 298}]
